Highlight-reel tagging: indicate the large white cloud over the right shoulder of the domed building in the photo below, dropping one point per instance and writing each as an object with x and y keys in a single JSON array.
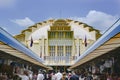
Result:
[{"x": 99, "y": 20}]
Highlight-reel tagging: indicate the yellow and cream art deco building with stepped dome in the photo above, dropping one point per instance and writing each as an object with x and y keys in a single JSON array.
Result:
[{"x": 59, "y": 42}]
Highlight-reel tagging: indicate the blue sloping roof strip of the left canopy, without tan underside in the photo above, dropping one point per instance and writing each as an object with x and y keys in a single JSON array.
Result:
[{"x": 9, "y": 40}]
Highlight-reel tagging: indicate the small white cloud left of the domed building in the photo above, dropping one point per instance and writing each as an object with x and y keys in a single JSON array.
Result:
[{"x": 23, "y": 22}]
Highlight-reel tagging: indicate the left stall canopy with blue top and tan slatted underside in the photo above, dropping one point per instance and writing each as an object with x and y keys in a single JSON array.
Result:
[{"x": 11, "y": 46}]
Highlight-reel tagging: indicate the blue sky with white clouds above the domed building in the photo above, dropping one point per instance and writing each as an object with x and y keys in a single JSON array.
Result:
[{"x": 17, "y": 15}]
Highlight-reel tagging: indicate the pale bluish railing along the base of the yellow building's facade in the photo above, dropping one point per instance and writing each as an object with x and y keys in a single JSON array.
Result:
[{"x": 59, "y": 60}]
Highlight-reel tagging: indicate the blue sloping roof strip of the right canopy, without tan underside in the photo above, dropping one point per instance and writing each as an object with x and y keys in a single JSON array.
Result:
[{"x": 112, "y": 31}]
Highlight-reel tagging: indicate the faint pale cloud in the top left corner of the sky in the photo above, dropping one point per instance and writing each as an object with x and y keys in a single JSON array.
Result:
[{"x": 7, "y": 3}]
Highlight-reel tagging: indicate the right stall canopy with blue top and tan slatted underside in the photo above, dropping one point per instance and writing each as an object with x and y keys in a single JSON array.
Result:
[{"x": 110, "y": 40}]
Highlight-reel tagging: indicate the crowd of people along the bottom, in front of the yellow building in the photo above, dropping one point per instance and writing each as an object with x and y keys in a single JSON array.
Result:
[{"x": 43, "y": 75}]
